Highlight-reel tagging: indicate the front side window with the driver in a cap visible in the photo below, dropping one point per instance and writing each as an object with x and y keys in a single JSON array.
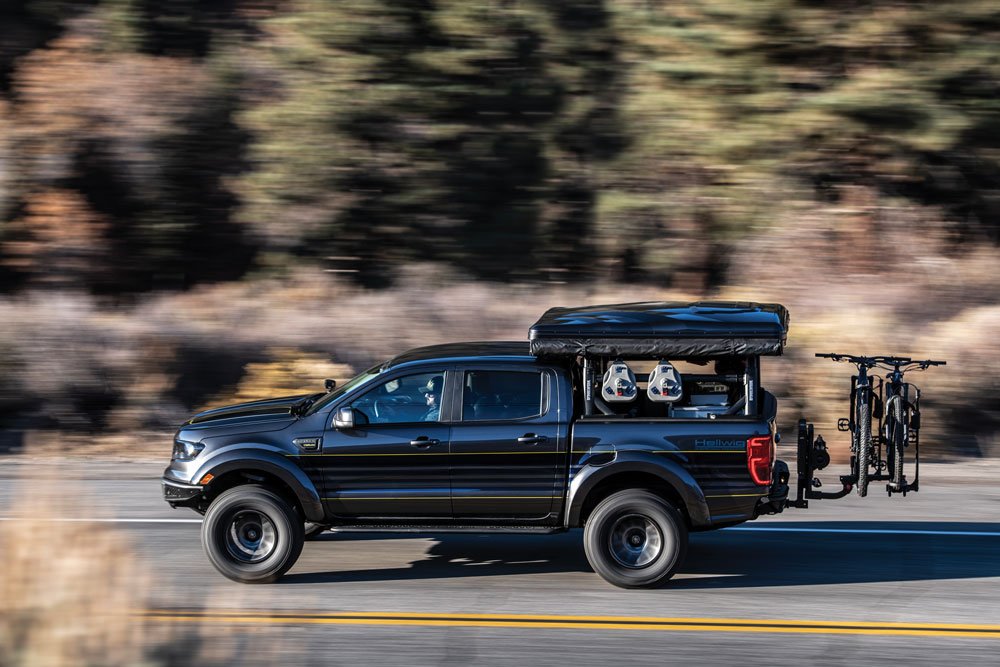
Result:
[{"x": 402, "y": 400}]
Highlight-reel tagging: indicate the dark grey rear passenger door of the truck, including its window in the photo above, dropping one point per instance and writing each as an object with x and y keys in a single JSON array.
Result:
[{"x": 507, "y": 454}]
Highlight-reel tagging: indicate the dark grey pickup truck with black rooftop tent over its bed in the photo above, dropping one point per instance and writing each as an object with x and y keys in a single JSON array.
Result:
[{"x": 638, "y": 422}]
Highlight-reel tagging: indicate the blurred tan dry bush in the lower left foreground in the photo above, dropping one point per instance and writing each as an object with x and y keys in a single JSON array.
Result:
[{"x": 73, "y": 593}]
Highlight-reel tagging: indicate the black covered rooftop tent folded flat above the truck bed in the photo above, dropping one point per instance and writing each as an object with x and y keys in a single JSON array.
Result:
[{"x": 662, "y": 330}]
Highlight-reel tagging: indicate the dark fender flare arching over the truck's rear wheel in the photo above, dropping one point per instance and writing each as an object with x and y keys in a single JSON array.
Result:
[{"x": 668, "y": 471}]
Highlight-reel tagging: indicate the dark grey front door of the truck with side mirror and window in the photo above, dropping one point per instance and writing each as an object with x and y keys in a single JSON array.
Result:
[{"x": 394, "y": 462}]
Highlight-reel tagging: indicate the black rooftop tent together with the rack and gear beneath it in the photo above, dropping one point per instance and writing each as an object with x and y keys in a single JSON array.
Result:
[{"x": 719, "y": 341}]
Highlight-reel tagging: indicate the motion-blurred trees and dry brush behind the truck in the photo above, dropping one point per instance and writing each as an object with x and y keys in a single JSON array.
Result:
[{"x": 201, "y": 201}]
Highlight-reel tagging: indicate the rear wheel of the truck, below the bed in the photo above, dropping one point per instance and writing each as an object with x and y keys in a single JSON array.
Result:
[{"x": 634, "y": 539}]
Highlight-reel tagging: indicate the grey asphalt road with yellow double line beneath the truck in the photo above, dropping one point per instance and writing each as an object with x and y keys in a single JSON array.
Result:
[{"x": 846, "y": 582}]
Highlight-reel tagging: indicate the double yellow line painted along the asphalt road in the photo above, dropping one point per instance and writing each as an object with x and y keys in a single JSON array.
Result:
[{"x": 581, "y": 622}]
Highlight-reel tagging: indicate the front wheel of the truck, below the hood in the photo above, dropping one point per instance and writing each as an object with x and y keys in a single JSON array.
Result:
[{"x": 218, "y": 532}]
